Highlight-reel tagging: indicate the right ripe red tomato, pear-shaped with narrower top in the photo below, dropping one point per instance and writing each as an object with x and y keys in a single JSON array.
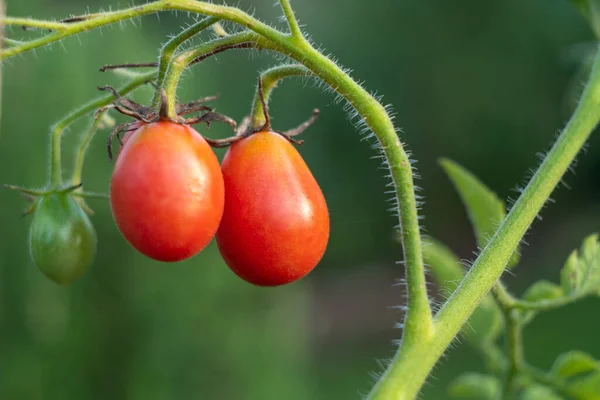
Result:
[{"x": 275, "y": 226}]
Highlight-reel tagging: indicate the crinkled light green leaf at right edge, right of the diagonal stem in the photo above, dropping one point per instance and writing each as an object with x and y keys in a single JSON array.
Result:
[{"x": 581, "y": 272}]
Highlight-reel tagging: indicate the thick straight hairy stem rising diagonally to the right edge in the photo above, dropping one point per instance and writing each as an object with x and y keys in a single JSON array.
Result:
[{"x": 417, "y": 361}]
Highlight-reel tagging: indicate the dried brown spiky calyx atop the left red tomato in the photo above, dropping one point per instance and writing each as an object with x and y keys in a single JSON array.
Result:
[{"x": 148, "y": 115}]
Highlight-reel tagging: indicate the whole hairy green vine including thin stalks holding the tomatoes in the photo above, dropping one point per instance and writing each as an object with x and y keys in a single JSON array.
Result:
[{"x": 425, "y": 336}]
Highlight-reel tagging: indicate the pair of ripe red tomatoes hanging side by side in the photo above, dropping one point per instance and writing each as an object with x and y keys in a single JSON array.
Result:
[{"x": 170, "y": 197}]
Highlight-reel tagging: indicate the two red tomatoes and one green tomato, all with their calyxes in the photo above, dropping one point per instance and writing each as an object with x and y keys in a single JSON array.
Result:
[{"x": 170, "y": 197}]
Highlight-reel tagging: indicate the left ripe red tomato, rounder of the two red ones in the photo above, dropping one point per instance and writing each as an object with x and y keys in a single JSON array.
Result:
[{"x": 166, "y": 191}]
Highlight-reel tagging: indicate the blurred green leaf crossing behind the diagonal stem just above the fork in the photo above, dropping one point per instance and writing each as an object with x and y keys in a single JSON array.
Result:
[{"x": 486, "y": 322}]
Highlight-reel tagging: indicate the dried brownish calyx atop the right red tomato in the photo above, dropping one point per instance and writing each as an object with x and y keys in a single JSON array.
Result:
[{"x": 245, "y": 128}]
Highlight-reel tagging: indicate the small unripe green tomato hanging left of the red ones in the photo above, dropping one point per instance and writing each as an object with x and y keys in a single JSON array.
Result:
[{"x": 62, "y": 239}]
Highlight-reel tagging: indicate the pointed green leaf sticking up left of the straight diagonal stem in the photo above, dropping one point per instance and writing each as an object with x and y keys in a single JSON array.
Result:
[{"x": 485, "y": 209}]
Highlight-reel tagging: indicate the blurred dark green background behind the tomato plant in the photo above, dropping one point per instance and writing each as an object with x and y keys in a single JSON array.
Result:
[{"x": 486, "y": 83}]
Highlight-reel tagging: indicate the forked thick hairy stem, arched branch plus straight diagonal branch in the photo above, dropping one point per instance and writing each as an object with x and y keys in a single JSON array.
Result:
[{"x": 424, "y": 338}]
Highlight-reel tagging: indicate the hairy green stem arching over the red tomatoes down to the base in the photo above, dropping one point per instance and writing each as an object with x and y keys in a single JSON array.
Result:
[{"x": 418, "y": 332}]
